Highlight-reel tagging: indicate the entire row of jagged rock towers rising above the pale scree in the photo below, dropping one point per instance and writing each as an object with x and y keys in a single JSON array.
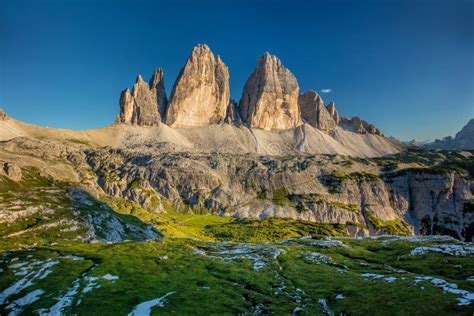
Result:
[{"x": 201, "y": 97}]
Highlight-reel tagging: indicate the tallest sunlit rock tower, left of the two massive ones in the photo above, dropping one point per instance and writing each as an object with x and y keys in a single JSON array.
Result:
[{"x": 201, "y": 94}]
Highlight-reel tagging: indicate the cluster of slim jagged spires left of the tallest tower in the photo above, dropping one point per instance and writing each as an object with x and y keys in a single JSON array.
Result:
[{"x": 146, "y": 103}]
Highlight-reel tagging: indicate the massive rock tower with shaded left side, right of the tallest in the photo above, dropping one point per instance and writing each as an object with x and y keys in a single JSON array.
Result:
[{"x": 270, "y": 97}]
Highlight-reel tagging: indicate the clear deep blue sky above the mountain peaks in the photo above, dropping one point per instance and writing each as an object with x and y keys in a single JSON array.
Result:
[{"x": 406, "y": 66}]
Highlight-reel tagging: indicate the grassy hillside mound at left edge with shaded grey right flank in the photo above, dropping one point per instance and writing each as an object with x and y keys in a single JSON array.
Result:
[{"x": 53, "y": 213}]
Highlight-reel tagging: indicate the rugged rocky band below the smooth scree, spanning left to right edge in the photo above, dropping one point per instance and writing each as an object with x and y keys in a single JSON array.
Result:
[{"x": 359, "y": 194}]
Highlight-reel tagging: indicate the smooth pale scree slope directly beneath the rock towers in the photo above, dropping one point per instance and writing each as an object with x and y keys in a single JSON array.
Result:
[{"x": 215, "y": 138}]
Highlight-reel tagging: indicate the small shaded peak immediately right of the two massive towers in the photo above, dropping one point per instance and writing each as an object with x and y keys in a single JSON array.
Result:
[{"x": 314, "y": 113}]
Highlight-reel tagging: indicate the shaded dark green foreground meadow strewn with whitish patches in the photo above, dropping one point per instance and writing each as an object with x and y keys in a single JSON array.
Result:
[{"x": 211, "y": 285}]
